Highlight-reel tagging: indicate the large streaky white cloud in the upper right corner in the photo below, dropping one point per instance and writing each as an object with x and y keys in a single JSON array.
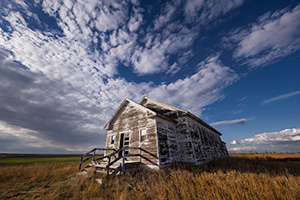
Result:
[{"x": 273, "y": 36}]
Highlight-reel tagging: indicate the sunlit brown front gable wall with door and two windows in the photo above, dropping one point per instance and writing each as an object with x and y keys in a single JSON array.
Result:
[{"x": 131, "y": 119}]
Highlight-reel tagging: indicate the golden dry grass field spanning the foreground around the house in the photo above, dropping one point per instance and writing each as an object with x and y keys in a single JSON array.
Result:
[{"x": 242, "y": 176}]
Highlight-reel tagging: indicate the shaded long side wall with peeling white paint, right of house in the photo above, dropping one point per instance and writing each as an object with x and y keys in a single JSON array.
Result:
[{"x": 187, "y": 141}]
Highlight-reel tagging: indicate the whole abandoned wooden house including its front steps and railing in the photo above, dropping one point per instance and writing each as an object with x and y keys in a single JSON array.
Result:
[{"x": 156, "y": 135}]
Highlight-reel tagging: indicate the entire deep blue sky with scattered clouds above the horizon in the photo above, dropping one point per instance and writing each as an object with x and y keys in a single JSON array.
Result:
[{"x": 65, "y": 67}]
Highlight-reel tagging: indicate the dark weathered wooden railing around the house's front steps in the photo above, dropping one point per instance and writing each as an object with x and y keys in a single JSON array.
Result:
[{"x": 118, "y": 155}]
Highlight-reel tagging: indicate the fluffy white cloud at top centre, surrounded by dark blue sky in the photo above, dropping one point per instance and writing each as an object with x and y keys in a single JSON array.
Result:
[{"x": 154, "y": 57}]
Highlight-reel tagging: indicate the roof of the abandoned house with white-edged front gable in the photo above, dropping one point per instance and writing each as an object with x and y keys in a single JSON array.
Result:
[{"x": 157, "y": 109}]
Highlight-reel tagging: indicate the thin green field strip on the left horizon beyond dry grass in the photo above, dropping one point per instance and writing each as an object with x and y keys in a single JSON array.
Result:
[{"x": 31, "y": 159}]
